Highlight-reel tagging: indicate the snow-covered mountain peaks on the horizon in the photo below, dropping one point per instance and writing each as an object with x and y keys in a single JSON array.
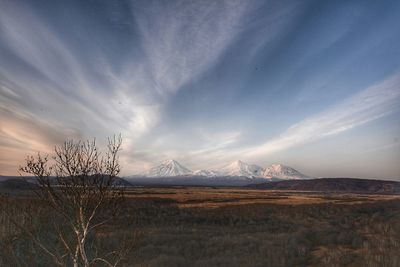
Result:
[{"x": 172, "y": 168}]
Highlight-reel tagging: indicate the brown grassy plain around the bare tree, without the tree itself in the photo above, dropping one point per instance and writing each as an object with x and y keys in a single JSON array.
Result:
[{"x": 204, "y": 226}]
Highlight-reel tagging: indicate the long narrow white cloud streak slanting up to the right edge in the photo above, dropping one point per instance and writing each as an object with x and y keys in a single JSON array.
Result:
[{"x": 370, "y": 104}]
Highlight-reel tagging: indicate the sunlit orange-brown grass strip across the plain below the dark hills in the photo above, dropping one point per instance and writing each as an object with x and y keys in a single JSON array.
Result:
[{"x": 207, "y": 197}]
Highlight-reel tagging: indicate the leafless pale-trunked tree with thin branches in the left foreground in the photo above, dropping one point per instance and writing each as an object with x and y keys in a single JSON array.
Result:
[{"x": 80, "y": 184}]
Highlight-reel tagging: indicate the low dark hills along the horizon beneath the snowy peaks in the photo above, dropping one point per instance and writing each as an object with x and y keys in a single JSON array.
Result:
[{"x": 332, "y": 185}]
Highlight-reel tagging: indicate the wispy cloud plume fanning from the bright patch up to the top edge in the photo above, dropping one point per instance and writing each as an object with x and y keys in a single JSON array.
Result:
[{"x": 180, "y": 40}]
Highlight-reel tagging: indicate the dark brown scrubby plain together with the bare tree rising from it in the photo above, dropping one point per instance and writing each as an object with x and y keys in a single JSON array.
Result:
[{"x": 185, "y": 226}]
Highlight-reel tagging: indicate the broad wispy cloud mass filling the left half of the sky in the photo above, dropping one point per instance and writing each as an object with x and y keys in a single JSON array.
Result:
[{"x": 63, "y": 93}]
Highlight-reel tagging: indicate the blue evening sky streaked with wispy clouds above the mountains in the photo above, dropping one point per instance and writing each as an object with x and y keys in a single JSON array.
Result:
[{"x": 311, "y": 84}]
